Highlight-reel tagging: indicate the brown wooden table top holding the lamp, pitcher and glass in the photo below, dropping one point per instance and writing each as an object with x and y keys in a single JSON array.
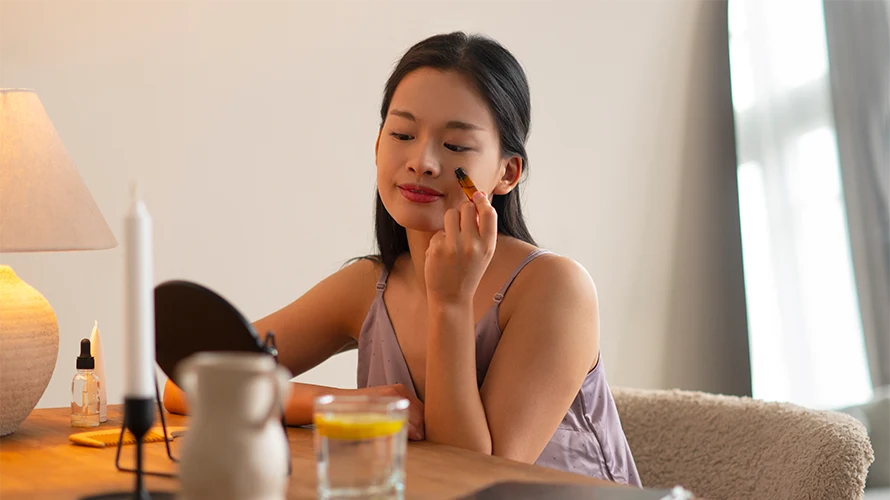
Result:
[{"x": 37, "y": 461}]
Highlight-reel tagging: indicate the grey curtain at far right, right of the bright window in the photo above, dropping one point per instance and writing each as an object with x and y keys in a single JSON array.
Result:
[{"x": 858, "y": 35}]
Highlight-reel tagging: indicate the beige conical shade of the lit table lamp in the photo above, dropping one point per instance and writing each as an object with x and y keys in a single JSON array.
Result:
[{"x": 44, "y": 204}]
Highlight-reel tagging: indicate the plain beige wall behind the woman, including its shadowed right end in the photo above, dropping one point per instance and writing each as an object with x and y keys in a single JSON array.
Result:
[{"x": 252, "y": 127}]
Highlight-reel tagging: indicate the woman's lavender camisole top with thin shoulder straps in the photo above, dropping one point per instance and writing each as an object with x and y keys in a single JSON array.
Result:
[{"x": 589, "y": 440}]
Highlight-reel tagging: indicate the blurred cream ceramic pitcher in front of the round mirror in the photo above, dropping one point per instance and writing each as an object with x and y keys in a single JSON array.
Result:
[{"x": 235, "y": 447}]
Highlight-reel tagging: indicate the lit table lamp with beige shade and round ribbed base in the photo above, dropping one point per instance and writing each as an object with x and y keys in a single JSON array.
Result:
[{"x": 44, "y": 207}]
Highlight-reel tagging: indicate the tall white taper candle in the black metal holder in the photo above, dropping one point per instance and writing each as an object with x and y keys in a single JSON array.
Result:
[{"x": 139, "y": 346}]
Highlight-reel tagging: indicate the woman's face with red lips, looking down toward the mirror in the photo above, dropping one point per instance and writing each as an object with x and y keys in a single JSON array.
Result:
[{"x": 437, "y": 122}]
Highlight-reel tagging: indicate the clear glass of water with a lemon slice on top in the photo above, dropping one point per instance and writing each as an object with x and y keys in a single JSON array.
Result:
[{"x": 360, "y": 446}]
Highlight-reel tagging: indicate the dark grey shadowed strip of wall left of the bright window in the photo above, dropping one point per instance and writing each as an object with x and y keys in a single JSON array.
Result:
[{"x": 708, "y": 319}]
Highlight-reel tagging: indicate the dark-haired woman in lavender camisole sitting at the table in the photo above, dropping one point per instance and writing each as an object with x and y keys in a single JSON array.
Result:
[{"x": 494, "y": 341}]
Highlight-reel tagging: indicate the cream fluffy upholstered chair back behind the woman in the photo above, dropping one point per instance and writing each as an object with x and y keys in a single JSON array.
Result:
[{"x": 726, "y": 447}]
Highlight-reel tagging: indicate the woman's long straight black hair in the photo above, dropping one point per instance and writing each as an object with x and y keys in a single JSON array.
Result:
[{"x": 501, "y": 80}]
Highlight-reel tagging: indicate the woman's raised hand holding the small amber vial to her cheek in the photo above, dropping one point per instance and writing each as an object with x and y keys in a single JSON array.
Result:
[{"x": 459, "y": 254}]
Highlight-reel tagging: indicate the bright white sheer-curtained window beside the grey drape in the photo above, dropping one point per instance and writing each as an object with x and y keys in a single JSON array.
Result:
[{"x": 804, "y": 323}]
